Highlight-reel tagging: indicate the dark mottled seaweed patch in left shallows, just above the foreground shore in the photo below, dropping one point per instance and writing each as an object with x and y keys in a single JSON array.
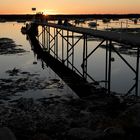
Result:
[{"x": 21, "y": 81}]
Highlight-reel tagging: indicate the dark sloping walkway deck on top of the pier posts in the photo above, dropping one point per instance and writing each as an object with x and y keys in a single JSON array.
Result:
[{"x": 124, "y": 38}]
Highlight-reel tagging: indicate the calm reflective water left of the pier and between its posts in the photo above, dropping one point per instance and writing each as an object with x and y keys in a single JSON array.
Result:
[{"x": 122, "y": 76}]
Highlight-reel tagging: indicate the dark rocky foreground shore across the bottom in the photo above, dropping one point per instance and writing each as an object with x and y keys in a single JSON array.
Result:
[{"x": 73, "y": 119}]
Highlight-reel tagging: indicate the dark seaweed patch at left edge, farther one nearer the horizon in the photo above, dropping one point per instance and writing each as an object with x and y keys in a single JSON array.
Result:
[{"x": 8, "y": 46}]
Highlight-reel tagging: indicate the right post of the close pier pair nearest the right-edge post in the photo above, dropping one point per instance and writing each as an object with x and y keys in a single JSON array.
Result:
[{"x": 109, "y": 68}]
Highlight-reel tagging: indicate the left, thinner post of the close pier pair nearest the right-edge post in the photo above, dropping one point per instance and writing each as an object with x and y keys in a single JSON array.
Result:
[{"x": 106, "y": 65}]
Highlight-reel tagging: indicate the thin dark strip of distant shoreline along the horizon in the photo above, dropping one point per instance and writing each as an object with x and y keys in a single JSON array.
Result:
[{"x": 14, "y": 17}]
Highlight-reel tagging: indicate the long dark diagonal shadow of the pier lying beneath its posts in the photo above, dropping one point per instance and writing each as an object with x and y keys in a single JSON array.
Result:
[{"x": 79, "y": 85}]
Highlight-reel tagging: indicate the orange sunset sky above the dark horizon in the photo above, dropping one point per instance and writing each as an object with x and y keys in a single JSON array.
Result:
[{"x": 70, "y": 6}]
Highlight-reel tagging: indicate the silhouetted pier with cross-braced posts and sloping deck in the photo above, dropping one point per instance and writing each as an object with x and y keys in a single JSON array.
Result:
[{"x": 50, "y": 35}]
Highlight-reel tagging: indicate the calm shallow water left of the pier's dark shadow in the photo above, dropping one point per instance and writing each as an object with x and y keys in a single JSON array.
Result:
[{"x": 29, "y": 68}]
